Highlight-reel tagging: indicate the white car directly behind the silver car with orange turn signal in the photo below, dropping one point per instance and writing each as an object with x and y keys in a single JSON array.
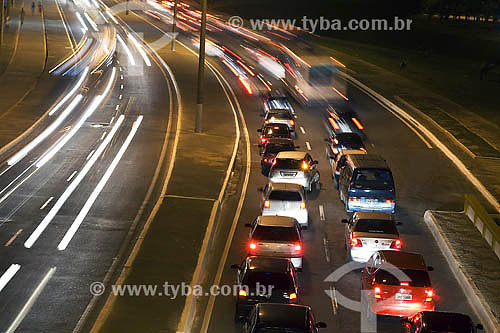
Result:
[{"x": 282, "y": 199}]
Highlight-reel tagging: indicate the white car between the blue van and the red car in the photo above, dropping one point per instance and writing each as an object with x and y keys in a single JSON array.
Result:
[{"x": 369, "y": 232}]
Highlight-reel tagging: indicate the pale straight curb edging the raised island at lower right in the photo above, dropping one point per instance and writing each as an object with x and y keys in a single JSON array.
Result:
[{"x": 474, "y": 296}]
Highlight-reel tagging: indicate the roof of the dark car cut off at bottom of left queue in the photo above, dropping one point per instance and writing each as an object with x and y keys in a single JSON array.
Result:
[{"x": 294, "y": 316}]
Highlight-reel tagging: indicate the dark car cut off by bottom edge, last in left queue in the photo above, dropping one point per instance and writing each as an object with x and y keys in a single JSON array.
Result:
[{"x": 274, "y": 317}]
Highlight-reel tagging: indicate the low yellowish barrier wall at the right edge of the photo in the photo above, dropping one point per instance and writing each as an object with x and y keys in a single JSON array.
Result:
[{"x": 483, "y": 222}]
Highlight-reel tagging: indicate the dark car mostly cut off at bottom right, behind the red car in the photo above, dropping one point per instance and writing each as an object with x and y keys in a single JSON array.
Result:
[{"x": 440, "y": 322}]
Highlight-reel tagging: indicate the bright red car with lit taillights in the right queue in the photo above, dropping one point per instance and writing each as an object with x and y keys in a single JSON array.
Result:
[{"x": 397, "y": 283}]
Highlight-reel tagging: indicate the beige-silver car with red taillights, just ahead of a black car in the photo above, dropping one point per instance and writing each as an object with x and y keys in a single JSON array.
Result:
[{"x": 276, "y": 236}]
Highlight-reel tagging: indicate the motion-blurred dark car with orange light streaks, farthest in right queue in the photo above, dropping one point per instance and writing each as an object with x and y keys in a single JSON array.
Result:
[{"x": 343, "y": 119}]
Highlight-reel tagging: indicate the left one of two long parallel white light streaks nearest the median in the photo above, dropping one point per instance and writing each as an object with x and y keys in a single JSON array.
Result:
[{"x": 69, "y": 190}]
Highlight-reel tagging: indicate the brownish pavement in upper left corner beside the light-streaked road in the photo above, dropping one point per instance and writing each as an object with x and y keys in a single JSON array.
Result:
[{"x": 27, "y": 89}]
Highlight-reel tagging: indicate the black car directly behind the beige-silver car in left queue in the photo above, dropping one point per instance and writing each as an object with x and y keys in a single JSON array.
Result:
[{"x": 264, "y": 280}]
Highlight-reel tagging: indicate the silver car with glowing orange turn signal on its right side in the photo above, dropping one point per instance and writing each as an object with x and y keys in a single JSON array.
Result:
[{"x": 295, "y": 167}]
